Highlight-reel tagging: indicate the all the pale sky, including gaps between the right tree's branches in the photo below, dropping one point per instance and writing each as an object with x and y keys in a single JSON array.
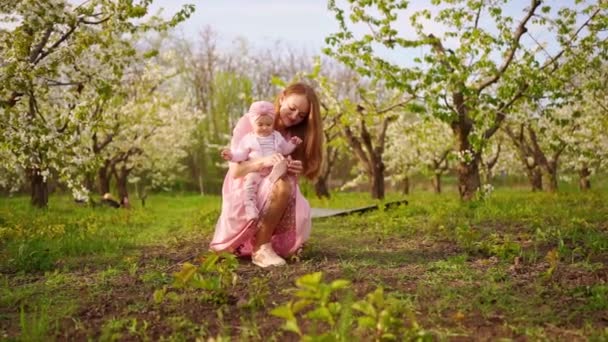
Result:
[{"x": 304, "y": 24}]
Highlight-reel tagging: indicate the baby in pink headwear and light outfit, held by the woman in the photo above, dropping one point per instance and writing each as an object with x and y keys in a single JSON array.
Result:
[{"x": 263, "y": 141}]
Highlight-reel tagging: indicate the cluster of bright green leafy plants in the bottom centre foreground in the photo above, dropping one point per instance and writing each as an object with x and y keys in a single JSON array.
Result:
[{"x": 375, "y": 317}]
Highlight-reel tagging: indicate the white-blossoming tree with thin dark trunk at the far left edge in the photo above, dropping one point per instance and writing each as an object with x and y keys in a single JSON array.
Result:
[{"x": 51, "y": 64}]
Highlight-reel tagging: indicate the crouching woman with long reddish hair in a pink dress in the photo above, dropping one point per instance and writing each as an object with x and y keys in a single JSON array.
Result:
[{"x": 284, "y": 222}]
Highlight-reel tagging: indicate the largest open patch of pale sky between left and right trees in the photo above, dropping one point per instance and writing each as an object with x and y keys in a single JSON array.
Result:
[{"x": 301, "y": 23}]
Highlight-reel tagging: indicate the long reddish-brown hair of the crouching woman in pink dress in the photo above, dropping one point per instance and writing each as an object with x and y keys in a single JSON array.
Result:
[{"x": 310, "y": 130}]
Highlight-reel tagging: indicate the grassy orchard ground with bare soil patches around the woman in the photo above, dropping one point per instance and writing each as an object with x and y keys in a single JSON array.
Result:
[{"x": 517, "y": 265}]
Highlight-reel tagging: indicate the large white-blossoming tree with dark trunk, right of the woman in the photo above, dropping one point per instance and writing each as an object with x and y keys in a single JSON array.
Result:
[{"x": 472, "y": 73}]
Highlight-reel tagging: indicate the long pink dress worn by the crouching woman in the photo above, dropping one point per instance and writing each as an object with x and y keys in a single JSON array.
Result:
[{"x": 234, "y": 233}]
